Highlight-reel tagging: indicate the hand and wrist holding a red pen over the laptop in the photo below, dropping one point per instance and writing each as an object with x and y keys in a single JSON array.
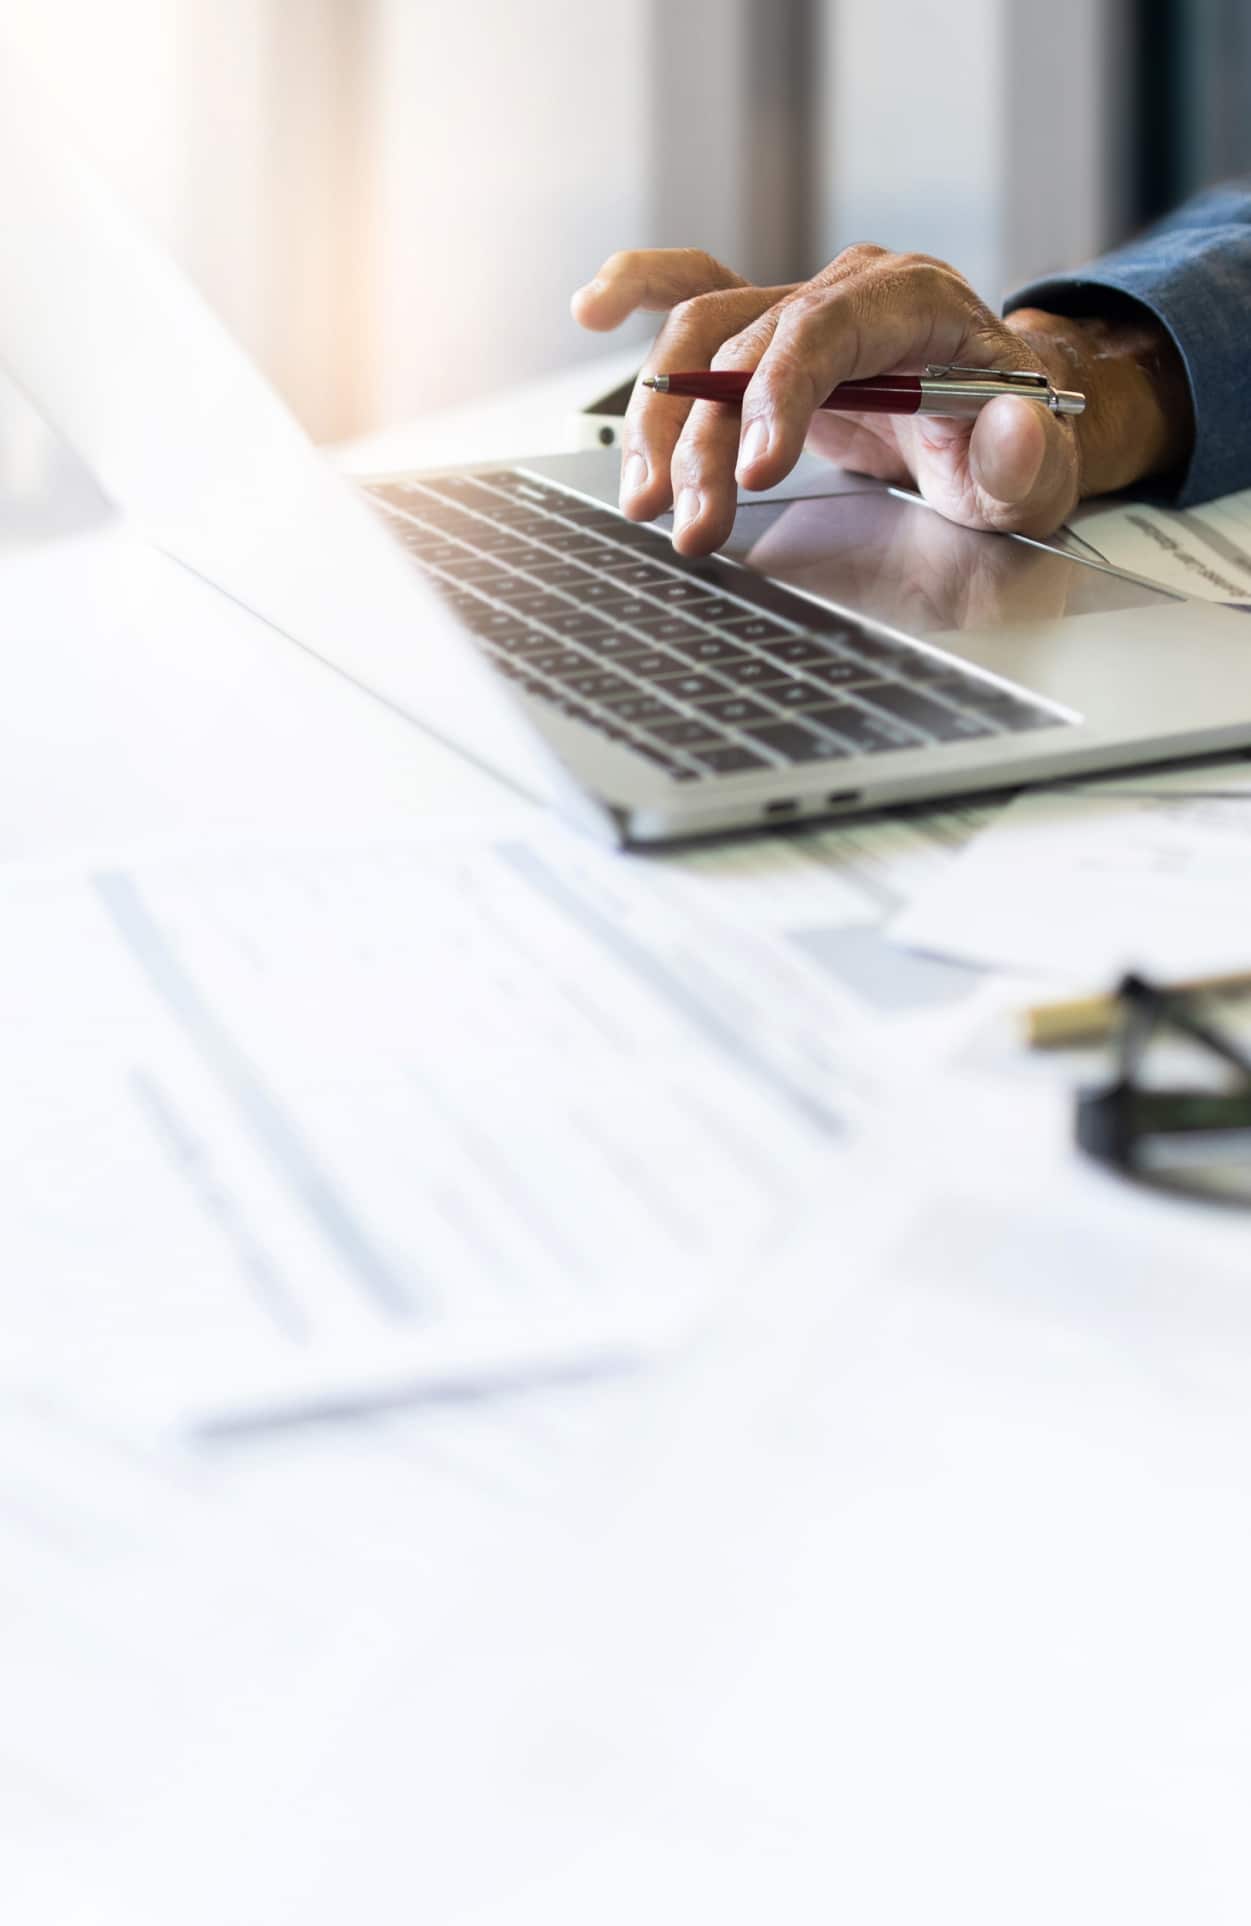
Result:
[{"x": 1015, "y": 467}]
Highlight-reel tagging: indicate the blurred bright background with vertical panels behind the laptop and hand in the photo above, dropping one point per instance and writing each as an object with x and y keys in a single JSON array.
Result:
[{"x": 390, "y": 201}]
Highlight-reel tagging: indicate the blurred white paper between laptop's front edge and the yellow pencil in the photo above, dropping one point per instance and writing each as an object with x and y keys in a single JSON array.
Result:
[{"x": 1092, "y": 883}]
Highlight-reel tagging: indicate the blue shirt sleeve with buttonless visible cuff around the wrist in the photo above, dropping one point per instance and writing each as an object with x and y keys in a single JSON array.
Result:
[{"x": 1194, "y": 276}]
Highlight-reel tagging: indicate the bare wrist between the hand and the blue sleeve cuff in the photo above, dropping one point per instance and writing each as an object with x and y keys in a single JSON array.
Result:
[{"x": 1138, "y": 419}]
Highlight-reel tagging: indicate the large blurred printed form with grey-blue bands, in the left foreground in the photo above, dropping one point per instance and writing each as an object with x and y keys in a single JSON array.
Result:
[{"x": 294, "y": 1130}]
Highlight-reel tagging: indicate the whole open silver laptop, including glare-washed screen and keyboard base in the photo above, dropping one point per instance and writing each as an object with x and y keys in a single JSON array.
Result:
[{"x": 848, "y": 650}]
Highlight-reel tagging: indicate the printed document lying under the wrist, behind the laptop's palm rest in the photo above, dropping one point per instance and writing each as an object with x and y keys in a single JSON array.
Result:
[{"x": 1198, "y": 552}]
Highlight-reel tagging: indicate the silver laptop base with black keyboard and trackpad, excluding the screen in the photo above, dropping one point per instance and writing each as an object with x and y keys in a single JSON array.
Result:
[{"x": 848, "y": 650}]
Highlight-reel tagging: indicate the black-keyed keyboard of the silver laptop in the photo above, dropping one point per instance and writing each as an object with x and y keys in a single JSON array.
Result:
[{"x": 700, "y": 667}]
